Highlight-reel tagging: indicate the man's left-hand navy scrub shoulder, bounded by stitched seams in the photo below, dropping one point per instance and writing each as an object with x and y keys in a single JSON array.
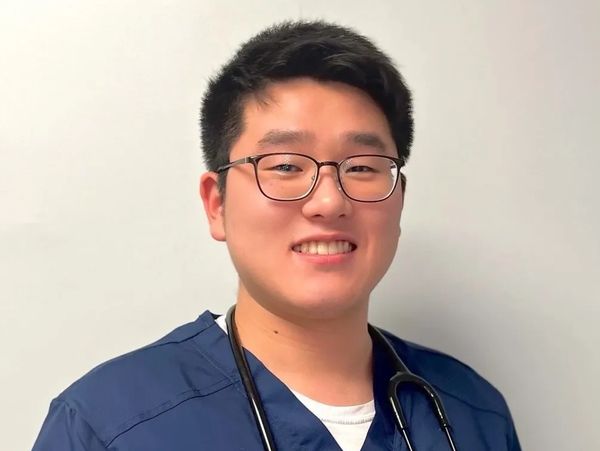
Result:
[{"x": 142, "y": 384}]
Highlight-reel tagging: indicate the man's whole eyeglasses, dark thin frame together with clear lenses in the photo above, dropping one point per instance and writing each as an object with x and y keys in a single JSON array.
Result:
[{"x": 293, "y": 176}]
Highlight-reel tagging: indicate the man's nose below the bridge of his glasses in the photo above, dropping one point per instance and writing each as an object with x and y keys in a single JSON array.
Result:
[{"x": 327, "y": 201}]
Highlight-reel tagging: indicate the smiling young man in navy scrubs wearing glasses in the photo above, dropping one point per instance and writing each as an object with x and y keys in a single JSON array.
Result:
[{"x": 304, "y": 132}]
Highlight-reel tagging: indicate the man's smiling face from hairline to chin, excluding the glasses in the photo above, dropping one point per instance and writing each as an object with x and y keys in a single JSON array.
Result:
[{"x": 265, "y": 237}]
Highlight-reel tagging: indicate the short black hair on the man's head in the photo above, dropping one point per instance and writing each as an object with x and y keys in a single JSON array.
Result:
[{"x": 316, "y": 49}]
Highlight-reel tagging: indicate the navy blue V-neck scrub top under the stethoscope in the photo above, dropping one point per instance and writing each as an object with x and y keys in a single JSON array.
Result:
[{"x": 183, "y": 393}]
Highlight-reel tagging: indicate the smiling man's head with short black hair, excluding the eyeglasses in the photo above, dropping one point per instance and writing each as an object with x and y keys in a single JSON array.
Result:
[{"x": 306, "y": 88}]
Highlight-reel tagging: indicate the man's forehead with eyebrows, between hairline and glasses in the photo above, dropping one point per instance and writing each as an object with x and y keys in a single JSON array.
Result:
[{"x": 306, "y": 111}]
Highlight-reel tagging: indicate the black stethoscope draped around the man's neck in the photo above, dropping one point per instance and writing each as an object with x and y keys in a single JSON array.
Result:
[{"x": 403, "y": 377}]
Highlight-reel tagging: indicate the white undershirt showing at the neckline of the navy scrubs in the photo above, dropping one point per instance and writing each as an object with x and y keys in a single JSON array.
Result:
[{"x": 347, "y": 424}]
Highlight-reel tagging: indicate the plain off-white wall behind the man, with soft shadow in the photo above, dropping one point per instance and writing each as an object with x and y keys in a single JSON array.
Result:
[{"x": 104, "y": 245}]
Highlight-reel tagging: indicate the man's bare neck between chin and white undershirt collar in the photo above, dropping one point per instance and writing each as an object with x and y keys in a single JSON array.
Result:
[{"x": 328, "y": 360}]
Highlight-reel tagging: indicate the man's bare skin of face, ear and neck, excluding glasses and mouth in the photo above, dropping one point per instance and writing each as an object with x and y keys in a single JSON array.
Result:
[{"x": 296, "y": 312}]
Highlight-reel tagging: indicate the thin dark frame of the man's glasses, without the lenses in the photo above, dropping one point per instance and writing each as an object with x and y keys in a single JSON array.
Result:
[{"x": 254, "y": 159}]
